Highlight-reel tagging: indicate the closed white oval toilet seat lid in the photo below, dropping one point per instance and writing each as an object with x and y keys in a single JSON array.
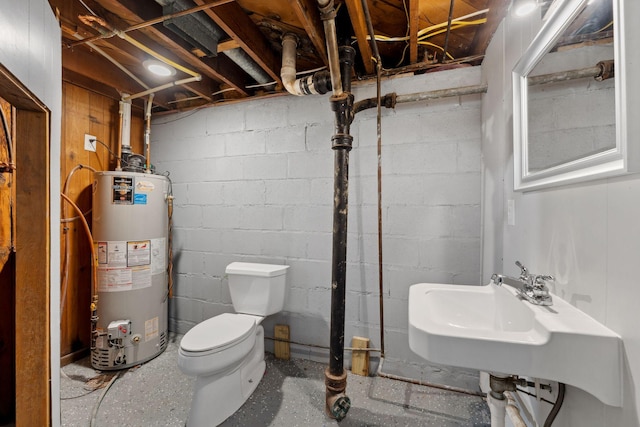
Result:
[{"x": 218, "y": 334}]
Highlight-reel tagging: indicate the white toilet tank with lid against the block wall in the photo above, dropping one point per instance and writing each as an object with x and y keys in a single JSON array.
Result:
[{"x": 257, "y": 289}]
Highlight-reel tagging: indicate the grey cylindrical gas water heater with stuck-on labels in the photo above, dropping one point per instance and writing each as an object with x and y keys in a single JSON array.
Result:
[{"x": 130, "y": 233}]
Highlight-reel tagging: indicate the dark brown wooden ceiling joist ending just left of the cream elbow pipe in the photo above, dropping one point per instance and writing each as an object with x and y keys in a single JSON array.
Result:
[{"x": 235, "y": 22}]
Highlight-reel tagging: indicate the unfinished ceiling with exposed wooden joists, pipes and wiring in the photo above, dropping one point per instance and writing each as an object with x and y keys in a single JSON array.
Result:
[{"x": 228, "y": 50}]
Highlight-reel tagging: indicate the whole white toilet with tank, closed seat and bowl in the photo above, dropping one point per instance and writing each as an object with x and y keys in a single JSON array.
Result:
[{"x": 226, "y": 352}]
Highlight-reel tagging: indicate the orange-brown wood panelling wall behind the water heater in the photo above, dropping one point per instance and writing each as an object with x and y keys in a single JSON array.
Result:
[{"x": 84, "y": 112}]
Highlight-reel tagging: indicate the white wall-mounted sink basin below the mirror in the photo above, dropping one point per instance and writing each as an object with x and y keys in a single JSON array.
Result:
[{"x": 490, "y": 328}]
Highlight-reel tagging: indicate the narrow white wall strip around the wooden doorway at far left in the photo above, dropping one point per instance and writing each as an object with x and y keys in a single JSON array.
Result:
[{"x": 30, "y": 50}]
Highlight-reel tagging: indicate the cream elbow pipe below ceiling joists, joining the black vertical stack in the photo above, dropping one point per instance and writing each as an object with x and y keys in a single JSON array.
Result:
[{"x": 318, "y": 83}]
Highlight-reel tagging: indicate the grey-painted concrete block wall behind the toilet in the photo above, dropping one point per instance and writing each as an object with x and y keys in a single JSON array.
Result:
[{"x": 254, "y": 182}]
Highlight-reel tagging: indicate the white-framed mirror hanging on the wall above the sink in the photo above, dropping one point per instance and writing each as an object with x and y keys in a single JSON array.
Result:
[{"x": 570, "y": 106}]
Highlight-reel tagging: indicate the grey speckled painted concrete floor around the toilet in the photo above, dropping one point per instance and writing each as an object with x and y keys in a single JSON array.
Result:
[{"x": 290, "y": 394}]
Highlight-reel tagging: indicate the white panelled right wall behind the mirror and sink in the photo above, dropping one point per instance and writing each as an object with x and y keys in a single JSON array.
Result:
[{"x": 586, "y": 235}]
